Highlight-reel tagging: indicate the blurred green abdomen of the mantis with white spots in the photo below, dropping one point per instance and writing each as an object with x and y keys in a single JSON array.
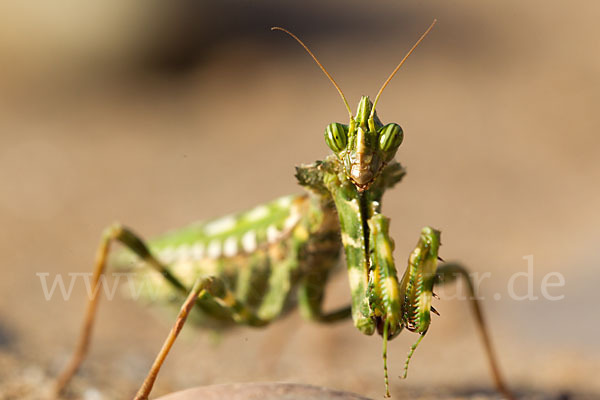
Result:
[{"x": 266, "y": 258}]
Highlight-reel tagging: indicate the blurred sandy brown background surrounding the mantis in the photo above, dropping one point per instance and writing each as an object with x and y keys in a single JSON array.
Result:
[{"x": 156, "y": 115}]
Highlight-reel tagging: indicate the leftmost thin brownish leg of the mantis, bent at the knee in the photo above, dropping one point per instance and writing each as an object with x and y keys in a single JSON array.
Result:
[{"x": 134, "y": 243}]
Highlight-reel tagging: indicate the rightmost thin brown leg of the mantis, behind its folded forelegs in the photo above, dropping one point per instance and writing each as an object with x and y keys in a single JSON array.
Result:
[{"x": 449, "y": 272}]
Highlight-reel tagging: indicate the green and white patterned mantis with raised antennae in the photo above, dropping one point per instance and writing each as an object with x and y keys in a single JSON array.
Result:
[{"x": 252, "y": 267}]
